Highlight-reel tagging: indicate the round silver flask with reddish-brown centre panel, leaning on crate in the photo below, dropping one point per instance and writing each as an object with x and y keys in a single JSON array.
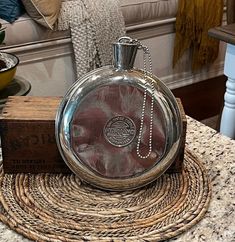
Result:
[{"x": 119, "y": 127}]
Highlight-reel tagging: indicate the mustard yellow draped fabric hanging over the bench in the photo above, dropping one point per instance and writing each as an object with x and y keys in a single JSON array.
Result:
[{"x": 194, "y": 19}]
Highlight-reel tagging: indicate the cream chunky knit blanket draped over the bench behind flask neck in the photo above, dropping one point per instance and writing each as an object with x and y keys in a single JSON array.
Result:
[{"x": 94, "y": 25}]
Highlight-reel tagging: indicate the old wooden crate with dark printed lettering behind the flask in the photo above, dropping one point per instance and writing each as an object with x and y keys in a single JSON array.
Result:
[{"x": 27, "y": 127}]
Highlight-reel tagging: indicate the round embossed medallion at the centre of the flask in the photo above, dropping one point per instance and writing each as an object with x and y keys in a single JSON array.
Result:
[{"x": 120, "y": 131}]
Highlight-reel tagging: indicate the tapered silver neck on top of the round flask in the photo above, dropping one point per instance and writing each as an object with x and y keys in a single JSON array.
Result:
[{"x": 124, "y": 54}]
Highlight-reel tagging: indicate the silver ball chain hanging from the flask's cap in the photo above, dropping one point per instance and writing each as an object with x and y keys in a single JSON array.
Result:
[{"x": 146, "y": 54}]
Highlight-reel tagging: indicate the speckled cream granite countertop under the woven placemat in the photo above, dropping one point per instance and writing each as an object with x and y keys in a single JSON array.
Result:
[{"x": 218, "y": 155}]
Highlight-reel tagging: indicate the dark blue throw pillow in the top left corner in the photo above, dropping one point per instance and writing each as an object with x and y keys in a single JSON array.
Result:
[{"x": 10, "y": 10}]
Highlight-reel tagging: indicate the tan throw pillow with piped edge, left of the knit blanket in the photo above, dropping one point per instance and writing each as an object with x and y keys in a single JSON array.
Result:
[{"x": 44, "y": 12}]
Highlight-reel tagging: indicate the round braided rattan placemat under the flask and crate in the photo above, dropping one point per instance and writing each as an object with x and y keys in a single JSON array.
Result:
[{"x": 48, "y": 207}]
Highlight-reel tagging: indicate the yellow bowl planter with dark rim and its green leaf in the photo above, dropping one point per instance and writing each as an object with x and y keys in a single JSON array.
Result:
[{"x": 8, "y": 63}]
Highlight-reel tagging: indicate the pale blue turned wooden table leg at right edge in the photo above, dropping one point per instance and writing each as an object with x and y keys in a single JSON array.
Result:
[{"x": 227, "y": 125}]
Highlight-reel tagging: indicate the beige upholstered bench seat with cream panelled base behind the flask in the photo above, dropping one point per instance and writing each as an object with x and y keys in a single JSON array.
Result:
[{"x": 46, "y": 56}]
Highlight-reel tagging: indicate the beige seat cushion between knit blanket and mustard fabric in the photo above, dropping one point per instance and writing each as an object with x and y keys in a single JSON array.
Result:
[{"x": 142, "y": 11}]
